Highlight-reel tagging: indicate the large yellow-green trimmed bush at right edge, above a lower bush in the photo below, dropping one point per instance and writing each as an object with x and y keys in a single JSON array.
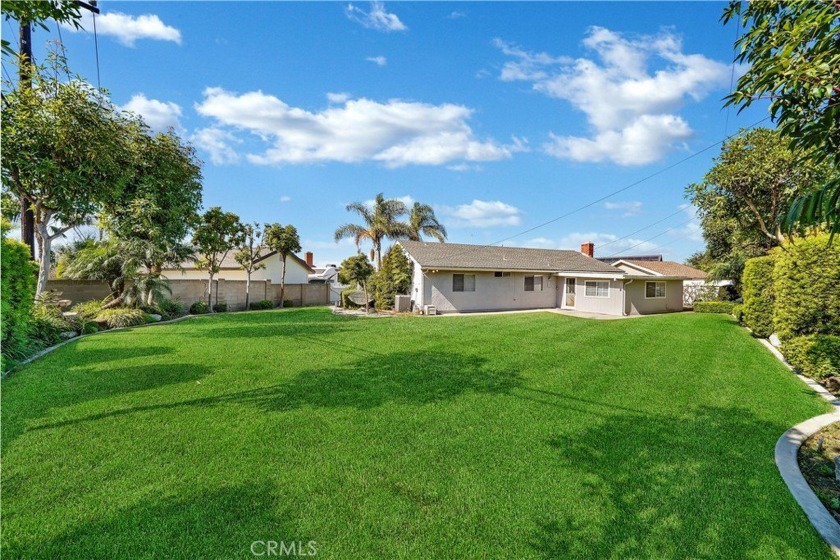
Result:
[{"x": 806, "y": 284}]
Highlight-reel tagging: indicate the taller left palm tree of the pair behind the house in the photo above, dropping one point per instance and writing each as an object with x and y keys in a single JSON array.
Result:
[{"x": 380, "y": 221}]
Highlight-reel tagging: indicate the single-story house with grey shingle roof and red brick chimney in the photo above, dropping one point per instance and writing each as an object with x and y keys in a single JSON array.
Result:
[{"x": 457, "y": 278}]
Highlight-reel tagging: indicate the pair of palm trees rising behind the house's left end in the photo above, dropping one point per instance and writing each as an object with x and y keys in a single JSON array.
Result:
[{"x": 382, "y": 220}]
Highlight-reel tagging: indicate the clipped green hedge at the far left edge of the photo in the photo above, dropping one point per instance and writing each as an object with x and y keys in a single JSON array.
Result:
[{"x": 16, "y": 298}]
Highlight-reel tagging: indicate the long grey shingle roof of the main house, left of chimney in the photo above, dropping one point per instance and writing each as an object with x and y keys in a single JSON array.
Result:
[{"x": 460, "y": 256}]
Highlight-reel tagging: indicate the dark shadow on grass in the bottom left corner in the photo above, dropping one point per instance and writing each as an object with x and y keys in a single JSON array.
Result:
[{"x": 221, "y": 523}]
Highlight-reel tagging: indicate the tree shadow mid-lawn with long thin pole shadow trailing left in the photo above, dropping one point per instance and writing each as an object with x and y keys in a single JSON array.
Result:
[{"x": 371, "y": 381}]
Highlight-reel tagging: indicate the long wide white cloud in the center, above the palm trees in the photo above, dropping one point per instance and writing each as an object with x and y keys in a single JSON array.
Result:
[{"x": 396, "y": 133}]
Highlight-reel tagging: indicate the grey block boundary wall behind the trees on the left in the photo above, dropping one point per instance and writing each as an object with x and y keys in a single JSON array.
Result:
[{"x": 231, "y": 292}]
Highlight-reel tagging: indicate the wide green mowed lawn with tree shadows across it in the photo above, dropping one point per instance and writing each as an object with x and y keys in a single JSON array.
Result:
[{"x": 527, "y": 436}]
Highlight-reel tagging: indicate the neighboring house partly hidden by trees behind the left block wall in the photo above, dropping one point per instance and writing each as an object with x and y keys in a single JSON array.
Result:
[{"x": 297, "y": 269}]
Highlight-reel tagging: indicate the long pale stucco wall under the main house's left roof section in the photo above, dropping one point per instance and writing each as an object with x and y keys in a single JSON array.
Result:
[{"x": 491, "y": 293}]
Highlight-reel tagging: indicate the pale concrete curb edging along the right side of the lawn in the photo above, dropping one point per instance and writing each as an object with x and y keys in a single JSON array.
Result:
[{"x": 787, "y": 459}]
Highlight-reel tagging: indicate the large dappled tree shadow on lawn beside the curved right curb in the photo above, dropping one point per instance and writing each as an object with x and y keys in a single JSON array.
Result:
[{"x": 700, "y": 485}]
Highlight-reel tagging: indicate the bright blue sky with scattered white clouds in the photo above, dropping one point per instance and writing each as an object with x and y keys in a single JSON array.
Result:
[{"x": 502, "y": 116}]
